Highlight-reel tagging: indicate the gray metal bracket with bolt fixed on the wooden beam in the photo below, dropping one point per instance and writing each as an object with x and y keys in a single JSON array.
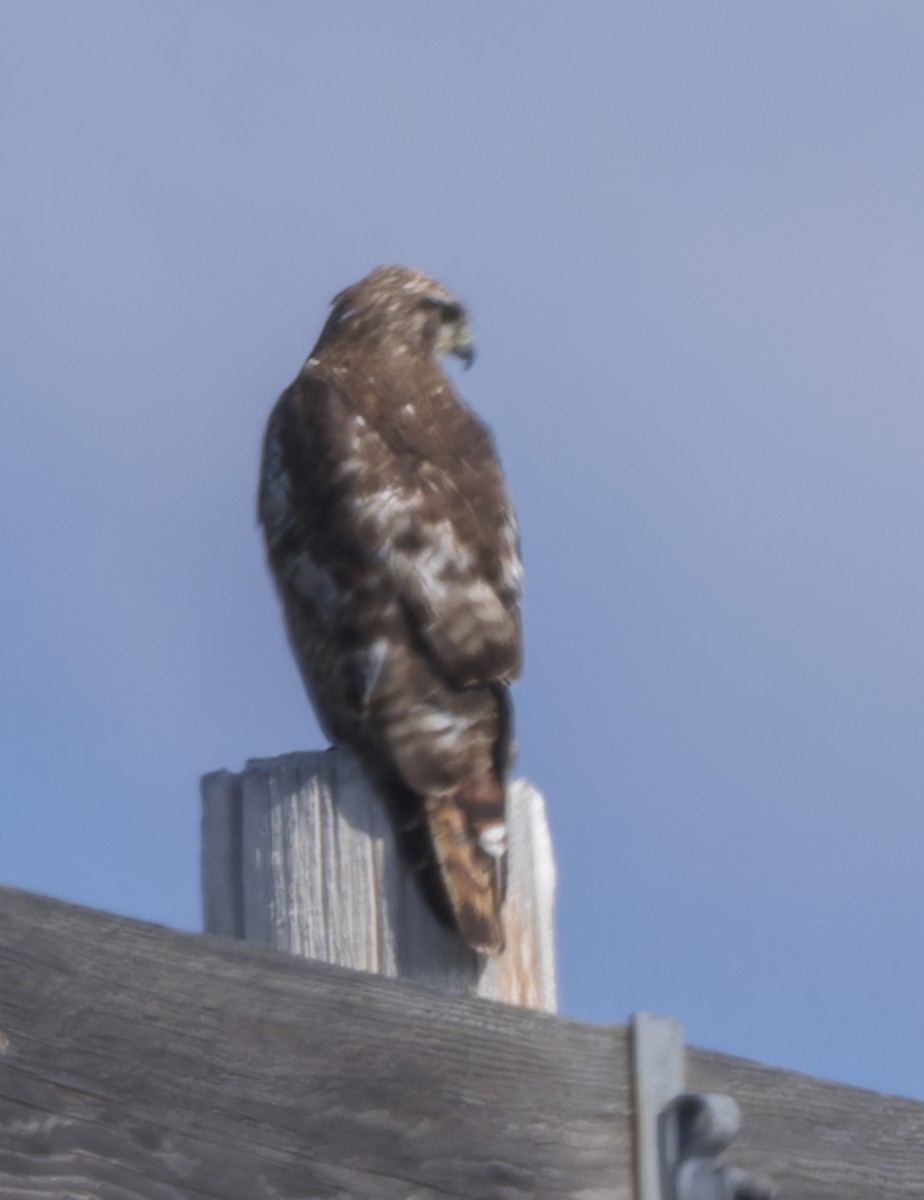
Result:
[{"x": 680, "y": 1135}]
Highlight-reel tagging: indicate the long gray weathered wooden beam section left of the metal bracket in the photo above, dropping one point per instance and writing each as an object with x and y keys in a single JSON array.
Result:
[{"x": 140, "y": 1064}]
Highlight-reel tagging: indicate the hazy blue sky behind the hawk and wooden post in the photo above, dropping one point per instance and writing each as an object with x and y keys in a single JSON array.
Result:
[{"x": 692, "y": 242}]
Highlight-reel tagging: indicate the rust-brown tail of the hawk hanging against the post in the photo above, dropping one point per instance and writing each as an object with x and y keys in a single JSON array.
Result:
[{"x": 470, "y": 841}]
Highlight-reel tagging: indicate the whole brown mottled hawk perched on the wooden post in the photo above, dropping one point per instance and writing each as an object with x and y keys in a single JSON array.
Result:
[{"x": 395, "y": 553}]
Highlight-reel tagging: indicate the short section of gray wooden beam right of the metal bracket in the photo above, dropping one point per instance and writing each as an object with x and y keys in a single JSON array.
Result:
[{"x": 817, "y": 1141}]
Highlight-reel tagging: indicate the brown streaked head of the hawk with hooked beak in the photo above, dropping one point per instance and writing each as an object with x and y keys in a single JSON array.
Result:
[{"x": 399, "y": 311}]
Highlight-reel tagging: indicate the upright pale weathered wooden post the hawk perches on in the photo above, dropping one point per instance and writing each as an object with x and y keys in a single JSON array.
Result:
[{"x": 301, "y": 855}]
